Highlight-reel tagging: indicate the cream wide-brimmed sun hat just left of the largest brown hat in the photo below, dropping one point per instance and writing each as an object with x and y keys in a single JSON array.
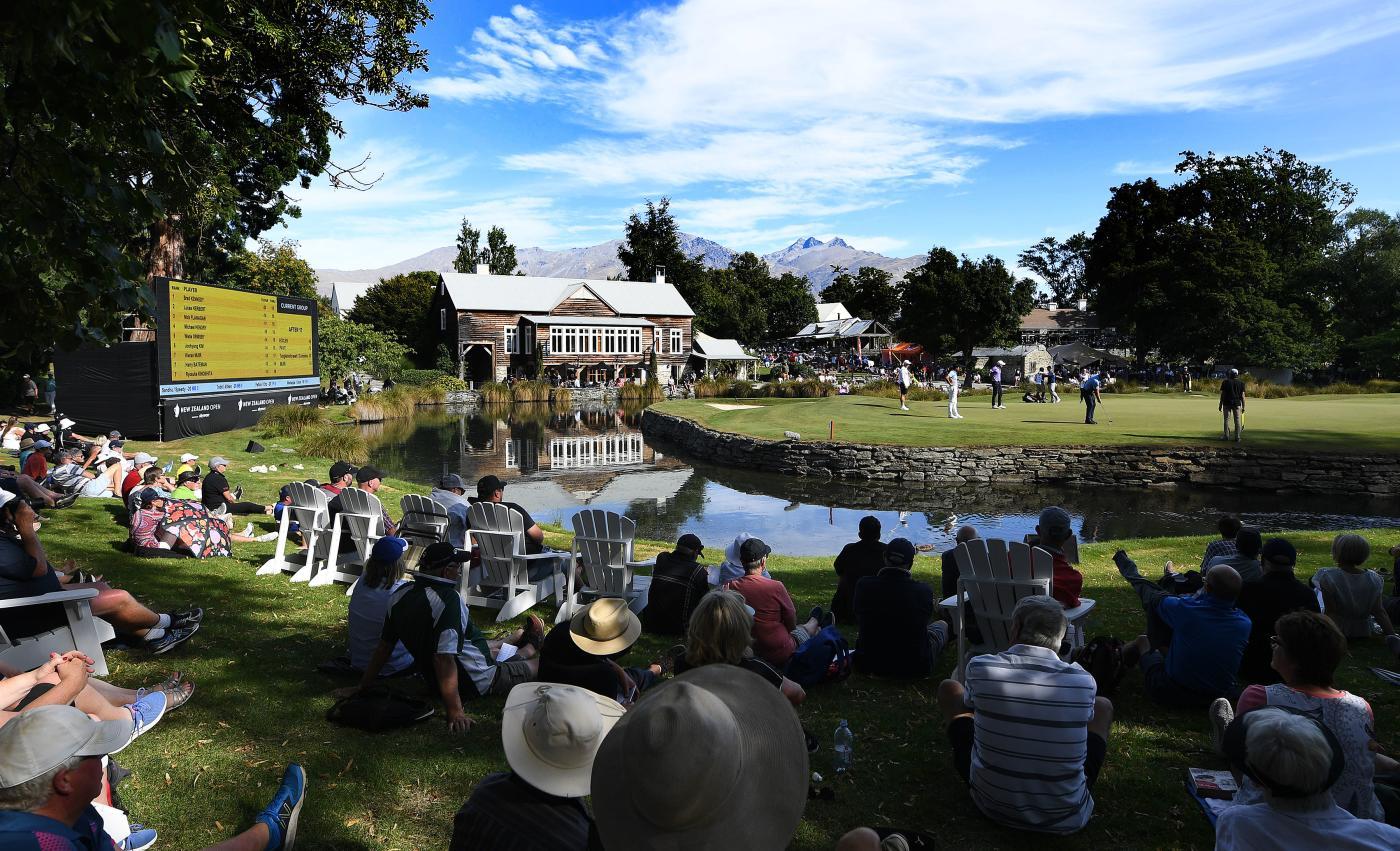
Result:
[{"x": 552, "y": 733}]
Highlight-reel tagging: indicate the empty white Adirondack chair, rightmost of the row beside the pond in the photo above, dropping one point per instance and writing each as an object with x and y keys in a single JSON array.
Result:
[{"x": 603, "y": 551}]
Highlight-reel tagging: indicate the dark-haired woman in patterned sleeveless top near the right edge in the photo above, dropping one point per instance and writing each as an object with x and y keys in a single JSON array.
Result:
[{"x": 1308, "y": 650}]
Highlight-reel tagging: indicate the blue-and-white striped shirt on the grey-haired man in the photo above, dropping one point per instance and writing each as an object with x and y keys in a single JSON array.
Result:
[{"x": 1031, "y": 715}]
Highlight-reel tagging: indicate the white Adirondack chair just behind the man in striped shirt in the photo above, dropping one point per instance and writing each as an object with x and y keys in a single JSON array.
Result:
[{"x": 993, "y": 577}]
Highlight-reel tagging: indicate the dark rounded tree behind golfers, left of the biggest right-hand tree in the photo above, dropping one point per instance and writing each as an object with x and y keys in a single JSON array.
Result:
[{"x": 957, "y": 304}]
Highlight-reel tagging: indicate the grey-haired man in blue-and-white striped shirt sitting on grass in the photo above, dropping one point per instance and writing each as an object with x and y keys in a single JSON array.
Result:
[{"x": 1028, "y": 734}]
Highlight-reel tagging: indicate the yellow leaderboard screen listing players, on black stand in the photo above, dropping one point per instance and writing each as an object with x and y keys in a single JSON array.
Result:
[{"x": 219, "y": 341}]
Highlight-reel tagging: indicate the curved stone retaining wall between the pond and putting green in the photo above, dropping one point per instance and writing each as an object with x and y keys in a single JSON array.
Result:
[{"x": 1205, "y": 467}]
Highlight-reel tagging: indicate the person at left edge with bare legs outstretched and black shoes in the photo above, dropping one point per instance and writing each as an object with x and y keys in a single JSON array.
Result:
[{"x": 26, "y": 572}]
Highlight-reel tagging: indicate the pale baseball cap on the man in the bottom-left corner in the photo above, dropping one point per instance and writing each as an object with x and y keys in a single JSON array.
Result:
[{"x": 44, "y": 738}]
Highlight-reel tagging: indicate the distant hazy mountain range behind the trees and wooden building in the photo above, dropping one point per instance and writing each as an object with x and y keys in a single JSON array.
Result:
[{"x": 807, "y": 258}]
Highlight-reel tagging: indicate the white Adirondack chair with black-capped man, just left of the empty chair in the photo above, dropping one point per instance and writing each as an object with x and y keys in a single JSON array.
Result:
[{"x": 503, "y": 582}]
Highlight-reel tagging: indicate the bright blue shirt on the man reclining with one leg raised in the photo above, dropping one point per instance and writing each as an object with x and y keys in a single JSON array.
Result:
[{"x": 1209, "y": 639}]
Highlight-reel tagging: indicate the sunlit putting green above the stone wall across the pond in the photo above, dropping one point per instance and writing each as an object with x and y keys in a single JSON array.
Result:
[{"x": 1300, "y": 425}]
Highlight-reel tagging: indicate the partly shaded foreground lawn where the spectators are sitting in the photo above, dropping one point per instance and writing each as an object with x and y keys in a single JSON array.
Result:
[{"x": 261, "y": 703}]
